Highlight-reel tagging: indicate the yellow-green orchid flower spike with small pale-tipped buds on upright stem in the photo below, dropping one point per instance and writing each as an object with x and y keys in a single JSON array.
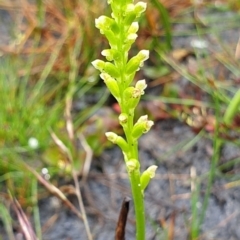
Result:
[{"x": 118, "y": 73}]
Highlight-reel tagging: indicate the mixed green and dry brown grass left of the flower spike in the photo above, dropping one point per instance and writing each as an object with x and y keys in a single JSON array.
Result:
[{"x": 47, "y": 71}]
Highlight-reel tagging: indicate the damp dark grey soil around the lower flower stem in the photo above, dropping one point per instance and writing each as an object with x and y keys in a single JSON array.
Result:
[{"x": 168, "y": 197}]
